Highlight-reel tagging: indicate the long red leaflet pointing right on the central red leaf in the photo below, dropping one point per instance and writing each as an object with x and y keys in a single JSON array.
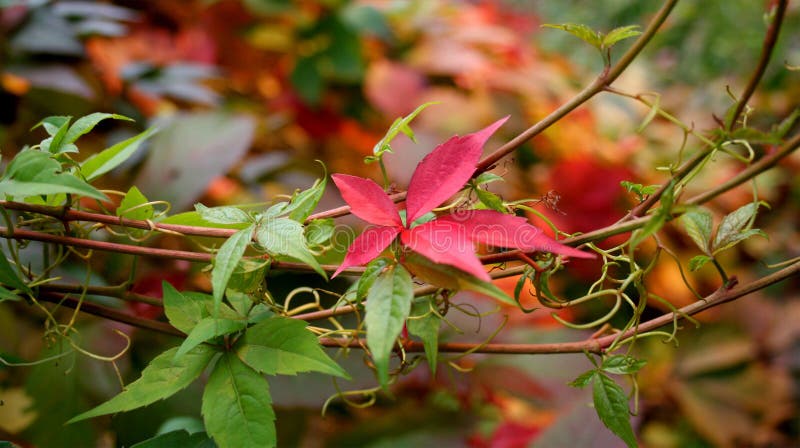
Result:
[{"x": 502, "y": 230}]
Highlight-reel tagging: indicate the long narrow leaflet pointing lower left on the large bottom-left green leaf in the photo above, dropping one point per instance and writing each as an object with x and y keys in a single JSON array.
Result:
[{"x": 162, "y": 378}]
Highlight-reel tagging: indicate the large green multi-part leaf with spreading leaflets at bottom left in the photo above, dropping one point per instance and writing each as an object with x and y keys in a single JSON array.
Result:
[{"x": 240, "y": 345}]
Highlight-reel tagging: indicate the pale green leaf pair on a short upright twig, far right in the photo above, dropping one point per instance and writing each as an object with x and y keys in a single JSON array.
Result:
[{"x": 734, "y": 228}]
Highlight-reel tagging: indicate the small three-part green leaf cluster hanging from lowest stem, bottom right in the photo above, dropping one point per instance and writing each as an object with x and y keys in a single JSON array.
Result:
[{"x": 610, "y": 401}]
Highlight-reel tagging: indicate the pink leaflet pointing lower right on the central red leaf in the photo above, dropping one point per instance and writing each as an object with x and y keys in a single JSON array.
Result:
[{"x": 447, "y": 243}]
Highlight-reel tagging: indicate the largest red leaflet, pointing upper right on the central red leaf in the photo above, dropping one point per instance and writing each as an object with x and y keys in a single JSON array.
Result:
[{"x": 445, "y": 171}]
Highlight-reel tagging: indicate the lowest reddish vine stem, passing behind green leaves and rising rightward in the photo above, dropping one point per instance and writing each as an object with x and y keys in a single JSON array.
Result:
[{"x": 593, "y": 345}]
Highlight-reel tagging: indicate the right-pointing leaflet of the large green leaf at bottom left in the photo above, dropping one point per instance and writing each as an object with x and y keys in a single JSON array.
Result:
[{"x": 283, "y": 346}]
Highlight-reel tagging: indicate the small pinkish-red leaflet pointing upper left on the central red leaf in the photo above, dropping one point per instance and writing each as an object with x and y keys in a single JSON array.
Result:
[{"x": 367, "y": 200}]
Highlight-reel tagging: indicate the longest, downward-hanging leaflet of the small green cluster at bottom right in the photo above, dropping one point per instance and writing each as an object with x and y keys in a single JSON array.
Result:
[{"x": 611, "y": 405}]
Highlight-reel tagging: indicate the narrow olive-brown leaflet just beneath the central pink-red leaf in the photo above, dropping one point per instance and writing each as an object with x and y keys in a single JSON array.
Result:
[{"x": 446, "y": 276}]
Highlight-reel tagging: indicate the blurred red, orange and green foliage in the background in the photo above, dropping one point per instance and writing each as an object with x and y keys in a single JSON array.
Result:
[{"x": 247, "y": 93}]
